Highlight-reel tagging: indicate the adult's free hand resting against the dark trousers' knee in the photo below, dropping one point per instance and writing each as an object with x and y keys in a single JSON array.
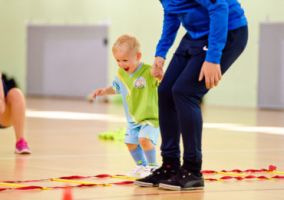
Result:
[{"x": 211, "y": 72}]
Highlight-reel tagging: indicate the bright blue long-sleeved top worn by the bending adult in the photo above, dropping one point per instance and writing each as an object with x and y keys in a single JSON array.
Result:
[{"x": 200, "y": 17}]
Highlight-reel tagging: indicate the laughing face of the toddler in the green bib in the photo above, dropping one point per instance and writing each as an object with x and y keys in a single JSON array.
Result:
[{"x": 127, "y": 60}]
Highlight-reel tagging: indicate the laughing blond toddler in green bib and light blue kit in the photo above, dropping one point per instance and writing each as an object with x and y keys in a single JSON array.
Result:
[{"x": 139, "y": 93}]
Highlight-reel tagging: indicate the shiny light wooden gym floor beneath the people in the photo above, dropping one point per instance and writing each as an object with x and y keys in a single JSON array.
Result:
[{"x": 63, "y": 135}]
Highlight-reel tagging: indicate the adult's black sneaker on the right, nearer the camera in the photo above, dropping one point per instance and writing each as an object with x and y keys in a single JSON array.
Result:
[{"x": 183, "y": 180}]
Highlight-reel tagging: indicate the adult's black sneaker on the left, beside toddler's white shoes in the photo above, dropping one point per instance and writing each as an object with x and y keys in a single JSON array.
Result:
[{"x": 153, "y": 180}]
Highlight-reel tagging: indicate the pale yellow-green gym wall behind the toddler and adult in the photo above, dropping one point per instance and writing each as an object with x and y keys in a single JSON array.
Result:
[{"x": 140, "y": 18}]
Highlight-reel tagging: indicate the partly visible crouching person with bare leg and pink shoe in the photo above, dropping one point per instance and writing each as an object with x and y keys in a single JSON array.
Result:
[{"x": 12, "y": 112}]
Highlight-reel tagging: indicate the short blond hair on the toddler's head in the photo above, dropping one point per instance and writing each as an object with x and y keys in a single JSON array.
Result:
[{"x": 128, "y": 41}]
